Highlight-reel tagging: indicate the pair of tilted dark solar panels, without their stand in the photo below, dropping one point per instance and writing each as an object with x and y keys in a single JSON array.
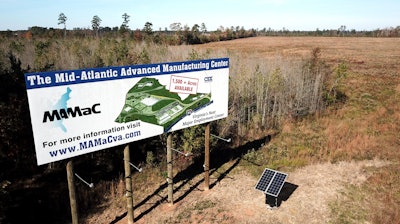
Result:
[{"x": 271, "y": 182}]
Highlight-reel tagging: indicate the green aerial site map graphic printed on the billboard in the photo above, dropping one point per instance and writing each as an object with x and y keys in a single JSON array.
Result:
[{"x": 151, "y": 102}]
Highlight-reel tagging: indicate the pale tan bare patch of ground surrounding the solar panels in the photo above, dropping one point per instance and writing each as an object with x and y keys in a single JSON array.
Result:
[{"x": 234, "y": 199}]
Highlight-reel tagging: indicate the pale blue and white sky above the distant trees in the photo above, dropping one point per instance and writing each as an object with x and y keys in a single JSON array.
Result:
[{"x": 305, "y": 15}]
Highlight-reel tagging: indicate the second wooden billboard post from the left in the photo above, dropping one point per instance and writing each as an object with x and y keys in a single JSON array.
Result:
[{"x": 128, "y": 185}]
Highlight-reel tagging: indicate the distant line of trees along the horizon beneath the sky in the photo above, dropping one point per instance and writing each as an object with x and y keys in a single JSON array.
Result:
[{"x": 178, "y": 34}]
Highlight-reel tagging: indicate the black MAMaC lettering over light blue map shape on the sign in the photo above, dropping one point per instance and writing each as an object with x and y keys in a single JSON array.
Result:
[{"x": 60, "y": 111}]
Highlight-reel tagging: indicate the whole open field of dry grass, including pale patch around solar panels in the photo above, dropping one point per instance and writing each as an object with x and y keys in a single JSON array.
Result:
[{"x": 343, "y": 162}]
